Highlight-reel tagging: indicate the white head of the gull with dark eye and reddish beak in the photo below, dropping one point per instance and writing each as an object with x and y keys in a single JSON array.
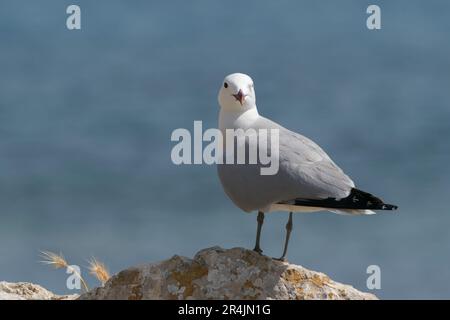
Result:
[{"x": 237, "y": 93}]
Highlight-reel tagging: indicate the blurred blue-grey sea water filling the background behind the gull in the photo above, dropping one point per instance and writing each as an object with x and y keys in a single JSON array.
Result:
[{"x": 86, "y": 118}]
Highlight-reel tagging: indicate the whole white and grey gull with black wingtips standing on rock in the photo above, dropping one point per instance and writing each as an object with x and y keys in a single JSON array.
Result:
[{"x": 307, "y": 179}]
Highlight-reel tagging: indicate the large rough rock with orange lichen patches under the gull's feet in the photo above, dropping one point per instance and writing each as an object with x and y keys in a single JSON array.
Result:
[{"x": 216, "y": 273}]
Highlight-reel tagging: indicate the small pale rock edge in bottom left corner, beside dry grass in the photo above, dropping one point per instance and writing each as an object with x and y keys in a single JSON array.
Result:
[{"x": 28, "y": 291}]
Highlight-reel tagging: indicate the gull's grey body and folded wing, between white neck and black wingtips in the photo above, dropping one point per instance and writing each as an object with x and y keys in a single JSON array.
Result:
[{"x": 305, "y": 171}]
